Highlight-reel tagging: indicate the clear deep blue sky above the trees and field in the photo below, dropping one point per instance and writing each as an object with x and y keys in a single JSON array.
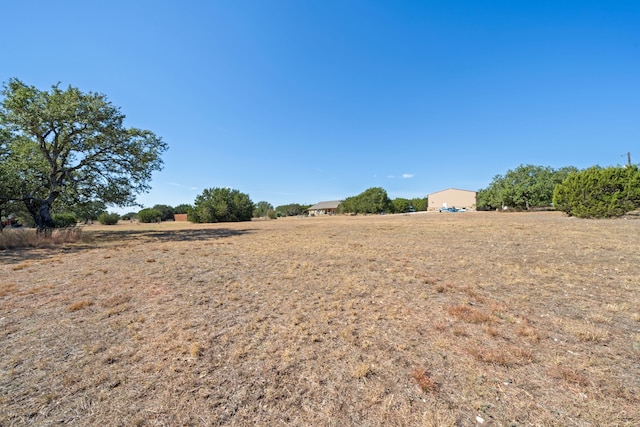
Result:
[{"x": 303, "y": 101}]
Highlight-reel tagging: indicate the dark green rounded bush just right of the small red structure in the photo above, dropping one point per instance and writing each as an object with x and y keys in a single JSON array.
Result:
[{"x": 221, "y": 205}]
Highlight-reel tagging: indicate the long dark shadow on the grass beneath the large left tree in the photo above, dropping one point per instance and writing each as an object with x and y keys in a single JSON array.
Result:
[{"x": 95, "y": 239}]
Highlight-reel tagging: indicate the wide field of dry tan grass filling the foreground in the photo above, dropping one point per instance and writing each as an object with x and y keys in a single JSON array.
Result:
[{"x": 400, "y": 320}]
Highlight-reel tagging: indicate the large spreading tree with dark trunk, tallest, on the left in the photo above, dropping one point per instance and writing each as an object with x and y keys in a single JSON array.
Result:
[{"x": 72, "y": 146}]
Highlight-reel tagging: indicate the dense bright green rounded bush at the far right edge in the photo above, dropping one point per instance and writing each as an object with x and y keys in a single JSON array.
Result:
[{"x": 599, "y": 192}]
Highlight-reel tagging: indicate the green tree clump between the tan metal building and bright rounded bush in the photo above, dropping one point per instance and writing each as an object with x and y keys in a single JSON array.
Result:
[{"x": 524, "y": 188}]
